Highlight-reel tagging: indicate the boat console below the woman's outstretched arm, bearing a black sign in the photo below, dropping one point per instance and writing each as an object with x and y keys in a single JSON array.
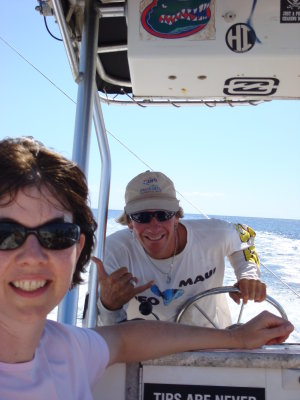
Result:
[{"x": 269, "y": 373}]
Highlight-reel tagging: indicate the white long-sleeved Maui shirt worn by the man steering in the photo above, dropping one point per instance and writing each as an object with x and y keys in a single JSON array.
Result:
[{"x": 199, "y": 267}]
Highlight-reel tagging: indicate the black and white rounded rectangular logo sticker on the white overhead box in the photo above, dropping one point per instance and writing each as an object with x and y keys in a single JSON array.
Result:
[{"x": 250, "y": 86}]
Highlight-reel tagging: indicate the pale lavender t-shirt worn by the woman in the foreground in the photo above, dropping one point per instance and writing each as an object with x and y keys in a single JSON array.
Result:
[{"x": 67, "y": 363}]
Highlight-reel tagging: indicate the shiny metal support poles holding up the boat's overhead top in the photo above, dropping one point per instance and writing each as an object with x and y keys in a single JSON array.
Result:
[{"x": 88, "y": 106}]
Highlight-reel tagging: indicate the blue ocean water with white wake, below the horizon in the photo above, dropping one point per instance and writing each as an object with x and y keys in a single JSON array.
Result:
[{"x": 278, "y": 244}]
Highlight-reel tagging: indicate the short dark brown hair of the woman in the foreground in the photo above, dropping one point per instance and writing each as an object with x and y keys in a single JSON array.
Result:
[{"x": 25, "y": 162}]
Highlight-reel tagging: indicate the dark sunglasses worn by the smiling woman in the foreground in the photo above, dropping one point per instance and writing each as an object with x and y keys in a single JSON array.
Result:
[{"x": 51, "y": 236}]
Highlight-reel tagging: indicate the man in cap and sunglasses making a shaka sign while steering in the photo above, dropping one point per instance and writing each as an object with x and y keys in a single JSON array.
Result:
[{"x": 164, "y": 260}]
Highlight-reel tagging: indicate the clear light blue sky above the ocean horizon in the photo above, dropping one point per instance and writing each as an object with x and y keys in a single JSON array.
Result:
[{"x": 225, "y": 161}]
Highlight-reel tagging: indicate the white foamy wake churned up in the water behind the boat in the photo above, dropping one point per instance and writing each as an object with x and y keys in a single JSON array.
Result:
[{"x": 278, "y": 253}]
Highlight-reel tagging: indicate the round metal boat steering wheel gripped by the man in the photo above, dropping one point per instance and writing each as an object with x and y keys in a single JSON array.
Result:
[{"x": 223, "y": 289}]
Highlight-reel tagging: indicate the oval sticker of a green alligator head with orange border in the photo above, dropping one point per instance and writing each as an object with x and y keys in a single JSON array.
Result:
[{"x": 172, "y": 19}]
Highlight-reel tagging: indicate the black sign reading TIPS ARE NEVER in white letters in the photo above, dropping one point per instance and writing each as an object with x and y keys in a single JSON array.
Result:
[{"x": 159, "y": 391}]
